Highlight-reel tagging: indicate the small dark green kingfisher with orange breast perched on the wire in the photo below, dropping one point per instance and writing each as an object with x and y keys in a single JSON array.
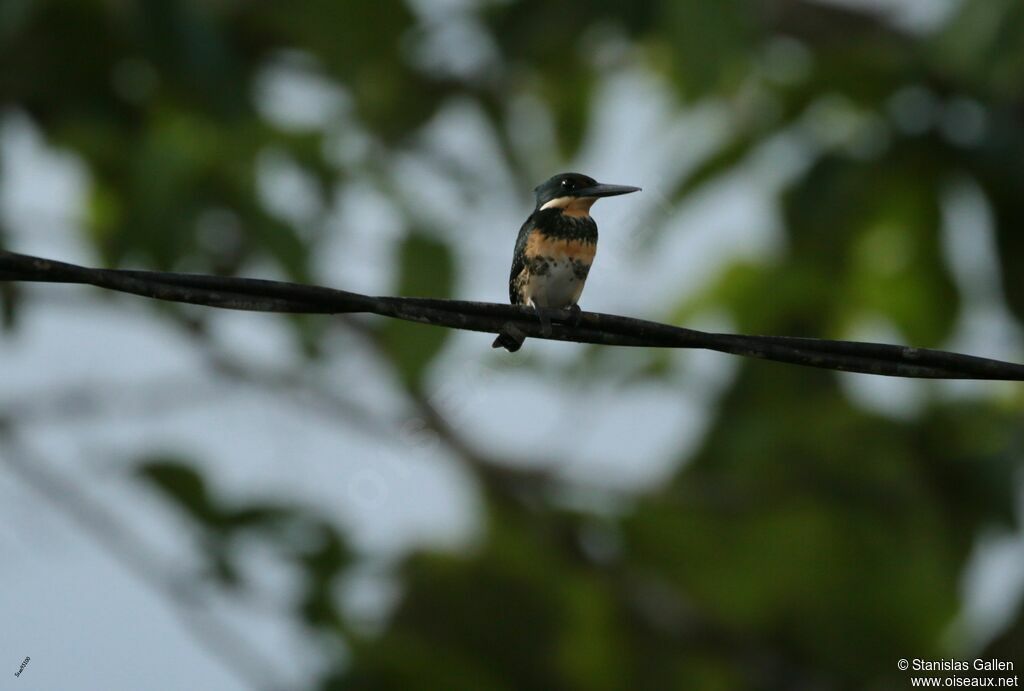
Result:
[{"x": 556, "y": 249}]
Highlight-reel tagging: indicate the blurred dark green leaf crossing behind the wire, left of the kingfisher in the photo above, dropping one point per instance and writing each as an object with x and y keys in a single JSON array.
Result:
[{"x": 426, "y": 270}]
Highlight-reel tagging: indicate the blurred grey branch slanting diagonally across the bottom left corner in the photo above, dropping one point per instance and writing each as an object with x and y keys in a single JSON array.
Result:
[{"x": 210, "y": 633}]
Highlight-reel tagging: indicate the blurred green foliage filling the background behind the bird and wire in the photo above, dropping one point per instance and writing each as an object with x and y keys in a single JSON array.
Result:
[{"x": 807, "y": 542}]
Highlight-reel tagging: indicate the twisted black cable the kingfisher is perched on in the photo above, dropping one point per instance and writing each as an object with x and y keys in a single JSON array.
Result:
[{"x": 273, "y": 296}]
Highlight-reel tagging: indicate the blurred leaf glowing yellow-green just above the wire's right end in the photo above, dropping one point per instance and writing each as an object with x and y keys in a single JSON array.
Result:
[{"x": 872, "y": 234}]
